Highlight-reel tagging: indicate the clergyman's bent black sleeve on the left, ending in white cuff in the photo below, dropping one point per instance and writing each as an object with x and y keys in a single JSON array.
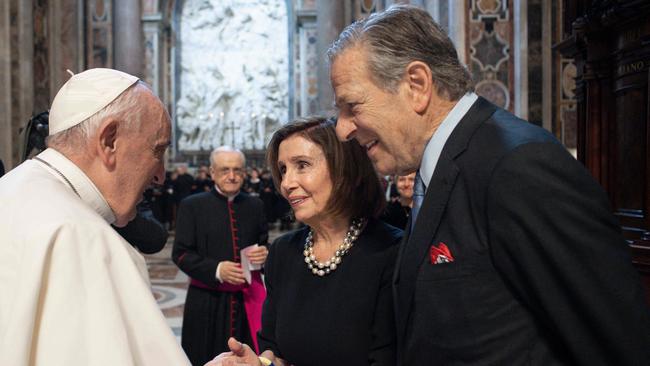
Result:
[{"x": 185, "y": 253}]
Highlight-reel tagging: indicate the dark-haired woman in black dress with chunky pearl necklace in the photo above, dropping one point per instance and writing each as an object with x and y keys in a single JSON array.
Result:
[{"x": 328, "y": 284}]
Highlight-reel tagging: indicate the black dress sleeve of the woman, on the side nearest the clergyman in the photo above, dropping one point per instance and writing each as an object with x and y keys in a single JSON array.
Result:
[{"x": 266, "y": 335}]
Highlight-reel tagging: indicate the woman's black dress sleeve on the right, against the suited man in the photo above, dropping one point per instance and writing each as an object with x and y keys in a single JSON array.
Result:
[{"x": 382, "y": 348}]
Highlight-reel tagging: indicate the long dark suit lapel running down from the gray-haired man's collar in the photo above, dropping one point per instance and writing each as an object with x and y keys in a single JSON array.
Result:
[{"x": 415, "y": 245}]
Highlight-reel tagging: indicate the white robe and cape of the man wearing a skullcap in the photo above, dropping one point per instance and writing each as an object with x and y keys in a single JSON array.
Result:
[{"x": 72, "y": 291}]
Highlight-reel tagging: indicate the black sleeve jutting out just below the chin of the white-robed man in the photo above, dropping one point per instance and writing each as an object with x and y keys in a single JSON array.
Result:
[{"x": 145, "y": 233}]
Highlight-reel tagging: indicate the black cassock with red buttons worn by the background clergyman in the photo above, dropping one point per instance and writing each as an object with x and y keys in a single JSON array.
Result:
[{"x": 212, "y": 228}]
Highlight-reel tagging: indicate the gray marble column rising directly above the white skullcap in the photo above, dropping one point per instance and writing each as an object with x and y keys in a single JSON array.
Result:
[{"x": 128, "y": 39}]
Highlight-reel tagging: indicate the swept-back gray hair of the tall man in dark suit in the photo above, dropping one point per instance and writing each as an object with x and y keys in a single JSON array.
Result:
[{"x": 398, "y": 36}]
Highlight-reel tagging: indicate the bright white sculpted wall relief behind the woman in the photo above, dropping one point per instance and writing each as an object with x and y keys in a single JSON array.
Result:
[{"x": 233, "y": 73}]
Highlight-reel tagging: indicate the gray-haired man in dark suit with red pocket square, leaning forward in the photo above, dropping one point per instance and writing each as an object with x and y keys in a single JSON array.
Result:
[{"x": 514, "y": 257}]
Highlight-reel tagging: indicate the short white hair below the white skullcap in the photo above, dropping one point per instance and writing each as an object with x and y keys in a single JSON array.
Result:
[{"x": 127, "y": 108}]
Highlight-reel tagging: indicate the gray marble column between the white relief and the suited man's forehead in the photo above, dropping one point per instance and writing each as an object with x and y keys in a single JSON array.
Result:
[{"x": 330, "y": 21}]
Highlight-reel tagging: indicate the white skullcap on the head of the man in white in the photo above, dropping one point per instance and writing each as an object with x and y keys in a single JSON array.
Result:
[{"x": 85, "y": 94}]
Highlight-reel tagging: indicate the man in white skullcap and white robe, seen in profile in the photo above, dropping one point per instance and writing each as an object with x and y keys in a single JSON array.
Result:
[{"x": 72, "y": 291}]
